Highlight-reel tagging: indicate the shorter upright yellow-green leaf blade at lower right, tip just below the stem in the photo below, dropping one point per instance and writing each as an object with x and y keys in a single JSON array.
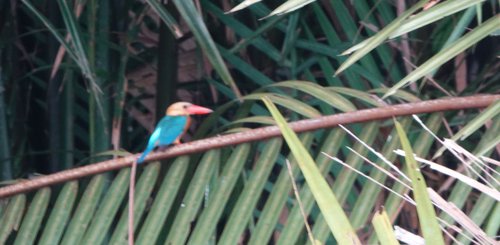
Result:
[{"x": 425, "y": 210}]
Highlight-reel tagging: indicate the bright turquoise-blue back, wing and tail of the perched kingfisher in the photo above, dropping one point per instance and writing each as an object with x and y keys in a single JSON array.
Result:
[{"x": 166, "y": 132}]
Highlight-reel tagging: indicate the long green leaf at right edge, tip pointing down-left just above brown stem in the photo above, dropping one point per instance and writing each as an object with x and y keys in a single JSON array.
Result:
[{"x": 449, "y": 52}]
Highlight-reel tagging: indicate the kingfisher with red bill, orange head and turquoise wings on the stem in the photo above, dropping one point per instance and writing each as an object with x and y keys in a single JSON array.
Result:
[{"x": 172, "y": 126}]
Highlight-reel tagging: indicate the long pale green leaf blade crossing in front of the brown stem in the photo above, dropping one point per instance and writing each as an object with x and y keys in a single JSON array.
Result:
[{"x": 330, "y": 208}]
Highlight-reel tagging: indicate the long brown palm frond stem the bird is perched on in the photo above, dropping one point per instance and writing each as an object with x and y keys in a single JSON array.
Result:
[{"x": 258, "y": 134}]
